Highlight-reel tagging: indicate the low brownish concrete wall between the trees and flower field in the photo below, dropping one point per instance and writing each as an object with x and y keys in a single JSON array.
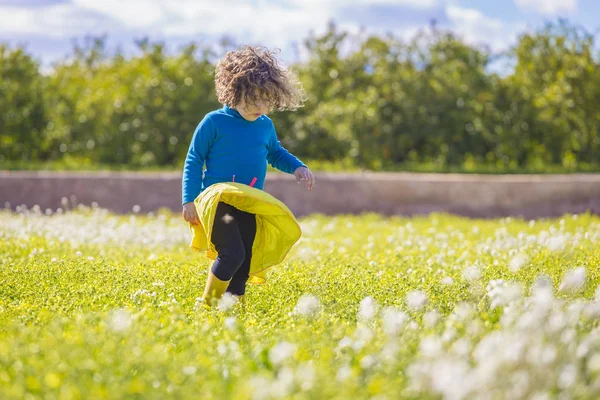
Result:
[{"x": 529, "y": 196}]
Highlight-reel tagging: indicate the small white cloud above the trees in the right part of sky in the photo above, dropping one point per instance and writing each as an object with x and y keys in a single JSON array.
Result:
[{"x": 477, "y": 28}]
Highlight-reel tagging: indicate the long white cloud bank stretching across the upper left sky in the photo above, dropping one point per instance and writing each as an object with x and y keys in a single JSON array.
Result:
[{"x": 274, "y": 24}]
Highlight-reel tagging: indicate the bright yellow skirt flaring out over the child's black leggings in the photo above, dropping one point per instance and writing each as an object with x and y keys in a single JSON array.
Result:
[{"x": 276, "y": 227}]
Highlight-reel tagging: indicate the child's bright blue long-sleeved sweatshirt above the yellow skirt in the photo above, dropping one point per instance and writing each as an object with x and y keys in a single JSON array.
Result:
[{"x": 232, "y": 146}]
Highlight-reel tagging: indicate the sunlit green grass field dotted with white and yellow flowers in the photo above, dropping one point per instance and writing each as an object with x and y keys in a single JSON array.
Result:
[{"x": 95, "y": 305}]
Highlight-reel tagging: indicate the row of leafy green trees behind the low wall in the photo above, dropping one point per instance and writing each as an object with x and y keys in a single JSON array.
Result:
[{"x": 377, "y": 102}]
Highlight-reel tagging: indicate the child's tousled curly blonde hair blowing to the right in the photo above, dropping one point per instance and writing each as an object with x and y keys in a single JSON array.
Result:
[{"x": 255, "y": 73}]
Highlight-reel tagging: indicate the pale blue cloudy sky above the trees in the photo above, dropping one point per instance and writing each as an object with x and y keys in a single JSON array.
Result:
[{"x": 48, "y": 27}]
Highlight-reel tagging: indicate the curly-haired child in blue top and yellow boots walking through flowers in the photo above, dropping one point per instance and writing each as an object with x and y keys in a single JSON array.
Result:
[{"x": 236, "y": 142}]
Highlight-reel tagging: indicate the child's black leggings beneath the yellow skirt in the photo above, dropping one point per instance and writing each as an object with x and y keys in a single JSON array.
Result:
[{"x": 233, "y": 235}]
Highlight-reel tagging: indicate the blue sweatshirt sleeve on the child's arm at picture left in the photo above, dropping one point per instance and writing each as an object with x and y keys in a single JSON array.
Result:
[{"x": 193, "y": 168}]
